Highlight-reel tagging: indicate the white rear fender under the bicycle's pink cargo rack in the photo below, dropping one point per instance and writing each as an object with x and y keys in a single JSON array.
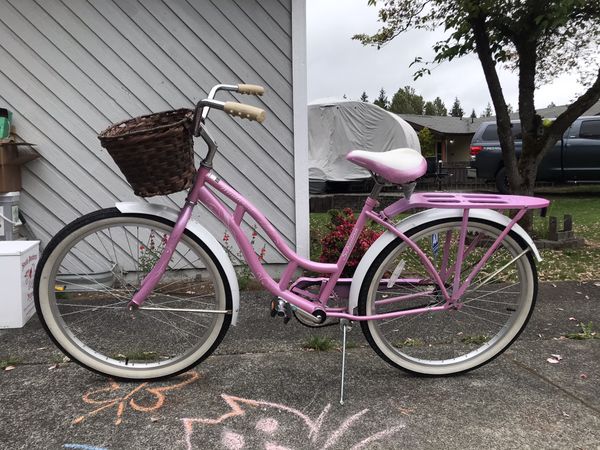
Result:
[{"x": 419, "y": 219}]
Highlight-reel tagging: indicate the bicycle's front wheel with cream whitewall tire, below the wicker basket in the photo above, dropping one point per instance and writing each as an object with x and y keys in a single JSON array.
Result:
[{"x": 88, "y": 274}]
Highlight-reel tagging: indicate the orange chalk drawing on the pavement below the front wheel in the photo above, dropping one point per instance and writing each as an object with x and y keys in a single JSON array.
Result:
[{"x": 112, "y": 396}]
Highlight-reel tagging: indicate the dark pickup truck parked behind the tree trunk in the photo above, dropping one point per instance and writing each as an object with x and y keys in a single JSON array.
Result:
[{"x": 575, "y": 158}]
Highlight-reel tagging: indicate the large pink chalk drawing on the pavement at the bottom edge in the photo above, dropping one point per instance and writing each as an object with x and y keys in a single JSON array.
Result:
[{"x": 267, "y": 427}]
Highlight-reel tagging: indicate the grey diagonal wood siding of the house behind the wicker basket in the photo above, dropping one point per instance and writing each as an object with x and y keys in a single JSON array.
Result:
[{"x": 70, "y": 68}]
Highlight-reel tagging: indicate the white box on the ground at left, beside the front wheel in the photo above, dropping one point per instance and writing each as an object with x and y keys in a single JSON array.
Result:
[{"x": 18, "y": 260}]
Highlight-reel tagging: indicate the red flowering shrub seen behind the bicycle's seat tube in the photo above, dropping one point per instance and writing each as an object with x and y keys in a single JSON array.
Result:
[{"x": 333, "y": 243}]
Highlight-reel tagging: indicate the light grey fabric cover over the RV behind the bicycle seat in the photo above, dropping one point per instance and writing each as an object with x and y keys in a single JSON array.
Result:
[{"x": 335, "y": 128}]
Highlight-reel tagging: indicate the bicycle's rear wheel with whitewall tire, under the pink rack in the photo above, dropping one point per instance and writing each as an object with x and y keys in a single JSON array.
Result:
[{"x": 485, "y": 321}]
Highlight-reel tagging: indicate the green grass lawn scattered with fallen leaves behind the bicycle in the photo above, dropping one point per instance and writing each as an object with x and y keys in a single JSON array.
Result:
[{"x": 581, "y": 264}]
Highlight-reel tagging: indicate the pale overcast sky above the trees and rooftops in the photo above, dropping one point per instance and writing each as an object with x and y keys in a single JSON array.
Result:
[{"x": 339, "y": 66}]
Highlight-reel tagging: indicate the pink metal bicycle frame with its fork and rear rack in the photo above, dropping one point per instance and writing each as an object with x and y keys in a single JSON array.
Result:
[{"x": 201, "y": 193}]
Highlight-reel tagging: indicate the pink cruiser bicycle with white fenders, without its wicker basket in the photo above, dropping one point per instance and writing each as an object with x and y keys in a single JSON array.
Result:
[{"x": 142, "y": 291}]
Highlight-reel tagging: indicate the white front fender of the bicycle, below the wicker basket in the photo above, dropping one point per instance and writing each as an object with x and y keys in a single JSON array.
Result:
[{"x": 202, "y": 233}]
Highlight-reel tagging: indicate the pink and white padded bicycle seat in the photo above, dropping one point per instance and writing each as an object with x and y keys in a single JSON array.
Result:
[{"x": 399, "y": 166}]
